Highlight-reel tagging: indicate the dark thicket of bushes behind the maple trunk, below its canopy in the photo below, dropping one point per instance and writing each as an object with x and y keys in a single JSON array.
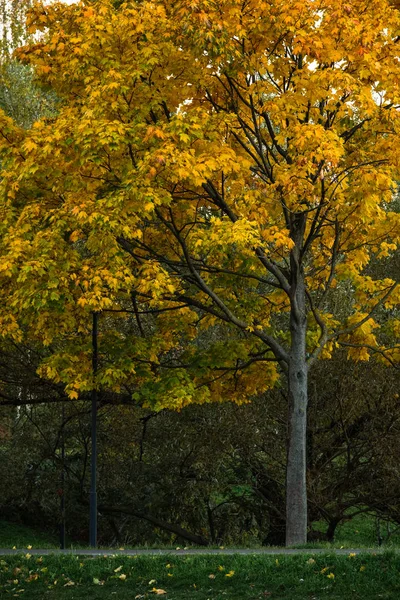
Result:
[{"x": 212, "y": 474}]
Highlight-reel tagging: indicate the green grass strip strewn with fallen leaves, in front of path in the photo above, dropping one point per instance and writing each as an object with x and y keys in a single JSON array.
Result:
[{"x": 228, "y": 577}]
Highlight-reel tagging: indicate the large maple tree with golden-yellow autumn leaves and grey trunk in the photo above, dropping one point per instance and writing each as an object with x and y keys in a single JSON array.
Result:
[{"x": 218, "y": 175}]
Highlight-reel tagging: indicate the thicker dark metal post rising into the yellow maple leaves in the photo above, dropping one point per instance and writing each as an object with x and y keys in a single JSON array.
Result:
[{"x": 93, "y": 484}]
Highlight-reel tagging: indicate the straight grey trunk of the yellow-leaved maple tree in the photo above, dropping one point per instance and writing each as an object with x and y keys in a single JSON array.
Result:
[{"x": 296, "y": 492}]
